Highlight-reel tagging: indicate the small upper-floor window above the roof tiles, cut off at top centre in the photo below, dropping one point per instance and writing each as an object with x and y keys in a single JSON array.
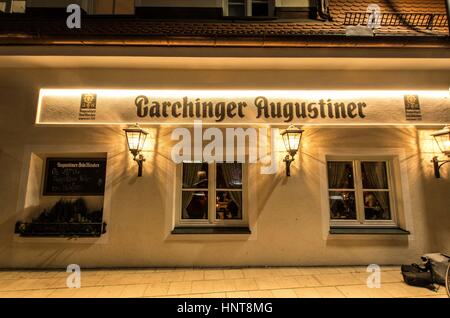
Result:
[{"x": 249, "y": 8}]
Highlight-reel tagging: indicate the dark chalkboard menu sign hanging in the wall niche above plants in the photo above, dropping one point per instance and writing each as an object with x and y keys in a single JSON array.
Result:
[{"x": 75, "y": 176}]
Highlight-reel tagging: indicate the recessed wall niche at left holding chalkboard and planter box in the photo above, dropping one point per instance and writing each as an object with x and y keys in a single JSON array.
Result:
[{"x": 64, "y": 196}]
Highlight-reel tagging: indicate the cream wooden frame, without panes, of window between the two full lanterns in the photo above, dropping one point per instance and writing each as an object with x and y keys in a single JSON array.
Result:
[{"x": 211, "y": 221}]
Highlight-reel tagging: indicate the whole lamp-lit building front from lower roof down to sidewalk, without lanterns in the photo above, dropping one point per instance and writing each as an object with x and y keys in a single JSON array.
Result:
[{"x": 361, "y": 189}]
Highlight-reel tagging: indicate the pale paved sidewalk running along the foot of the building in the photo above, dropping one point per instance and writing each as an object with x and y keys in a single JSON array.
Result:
[{"x": 303, "y": 282}]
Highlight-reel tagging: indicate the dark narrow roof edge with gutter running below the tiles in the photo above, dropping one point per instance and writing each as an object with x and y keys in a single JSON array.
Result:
[{"x": 200, "y": 41}]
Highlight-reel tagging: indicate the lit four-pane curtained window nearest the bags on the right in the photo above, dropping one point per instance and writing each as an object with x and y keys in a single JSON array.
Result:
[{"x": 360, "y": 192}]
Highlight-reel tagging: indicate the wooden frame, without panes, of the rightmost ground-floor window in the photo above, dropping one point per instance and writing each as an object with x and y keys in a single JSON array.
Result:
[{"x": 359, "y": 190}]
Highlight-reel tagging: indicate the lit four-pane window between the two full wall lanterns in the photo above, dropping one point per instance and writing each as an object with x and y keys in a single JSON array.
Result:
[{"x": 212, "y": 194}]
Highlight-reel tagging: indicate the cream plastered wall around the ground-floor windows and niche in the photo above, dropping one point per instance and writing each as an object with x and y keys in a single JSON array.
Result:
[{"x": 285, "y": 213}]
